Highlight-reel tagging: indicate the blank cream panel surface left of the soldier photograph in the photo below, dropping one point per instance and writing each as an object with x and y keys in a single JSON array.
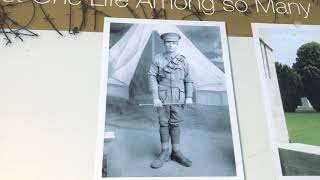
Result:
[{"x": 49, "y": 107}]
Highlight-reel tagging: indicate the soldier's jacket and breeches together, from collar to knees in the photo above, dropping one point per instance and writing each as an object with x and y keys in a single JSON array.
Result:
[{"x": 170, "y": 81}]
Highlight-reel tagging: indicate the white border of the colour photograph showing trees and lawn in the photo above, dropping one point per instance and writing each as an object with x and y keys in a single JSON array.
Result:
[{"x": 268, "y": 112}]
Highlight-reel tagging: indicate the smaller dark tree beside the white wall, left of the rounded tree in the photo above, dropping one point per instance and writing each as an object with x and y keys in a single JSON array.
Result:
[{"x": 291, "y": 87}]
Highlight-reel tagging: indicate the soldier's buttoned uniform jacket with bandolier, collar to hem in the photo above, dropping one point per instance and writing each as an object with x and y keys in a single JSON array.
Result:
[{"x": 170, "y": 79}]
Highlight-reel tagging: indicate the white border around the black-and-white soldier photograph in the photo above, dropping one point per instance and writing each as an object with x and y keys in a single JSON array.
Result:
[{"x": 230, "y": 93}]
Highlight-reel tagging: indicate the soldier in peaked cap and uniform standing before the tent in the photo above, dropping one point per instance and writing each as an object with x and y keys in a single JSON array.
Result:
[{"x": 172, "y": 87}]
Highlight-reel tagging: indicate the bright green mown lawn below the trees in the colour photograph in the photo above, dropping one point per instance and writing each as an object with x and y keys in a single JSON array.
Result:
[{"x": 304, "y": 128}]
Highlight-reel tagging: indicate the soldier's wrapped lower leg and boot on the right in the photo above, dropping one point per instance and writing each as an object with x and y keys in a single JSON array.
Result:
[{"x": 176, "y": 153}]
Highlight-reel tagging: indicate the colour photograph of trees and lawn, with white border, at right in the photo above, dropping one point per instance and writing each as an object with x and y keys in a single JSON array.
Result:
[{"x": 289, "y": 62}]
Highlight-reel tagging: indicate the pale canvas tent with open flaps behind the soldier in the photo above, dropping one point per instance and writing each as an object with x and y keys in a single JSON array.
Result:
[{"x": 125, "y": 55}]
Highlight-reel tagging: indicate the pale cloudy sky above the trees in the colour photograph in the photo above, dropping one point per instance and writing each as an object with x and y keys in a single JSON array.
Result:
[{"x": 286, "y": 42}]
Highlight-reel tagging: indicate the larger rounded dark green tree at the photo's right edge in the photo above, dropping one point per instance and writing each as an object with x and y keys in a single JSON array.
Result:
[{"x": 308, "y": 66}]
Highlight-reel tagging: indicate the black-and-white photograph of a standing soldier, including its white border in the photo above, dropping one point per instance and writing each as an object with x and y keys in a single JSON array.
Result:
[{"x": 170, "y": 107}]
